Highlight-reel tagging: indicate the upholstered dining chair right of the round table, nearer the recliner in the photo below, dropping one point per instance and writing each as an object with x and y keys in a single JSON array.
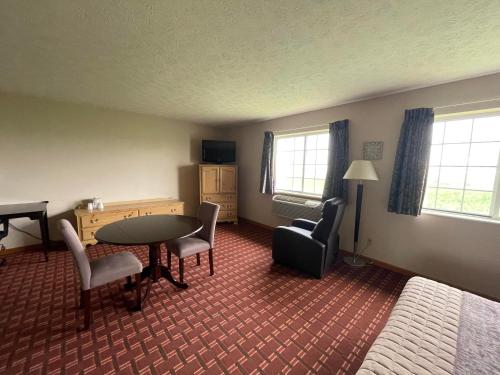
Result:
[{"x": 199, "y": 242}]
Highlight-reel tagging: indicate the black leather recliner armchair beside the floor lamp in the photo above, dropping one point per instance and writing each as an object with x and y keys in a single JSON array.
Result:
[{"x": 309, "y": 246}]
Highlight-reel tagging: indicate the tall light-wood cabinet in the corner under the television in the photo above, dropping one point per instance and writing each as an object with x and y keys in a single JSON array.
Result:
[{"x": 218, "y": 184}]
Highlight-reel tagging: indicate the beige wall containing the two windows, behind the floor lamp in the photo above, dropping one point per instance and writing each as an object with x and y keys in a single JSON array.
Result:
[{"x": 458, "y": 251}]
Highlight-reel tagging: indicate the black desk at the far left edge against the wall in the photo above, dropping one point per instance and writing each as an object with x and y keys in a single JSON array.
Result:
[{"x": 34, "y": 211}]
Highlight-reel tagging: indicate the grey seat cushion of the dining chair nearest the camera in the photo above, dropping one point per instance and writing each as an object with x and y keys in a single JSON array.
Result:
[{"x": 113, "y": 267}]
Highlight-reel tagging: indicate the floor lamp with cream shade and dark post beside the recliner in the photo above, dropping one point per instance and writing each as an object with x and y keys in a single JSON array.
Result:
[{"x": 359, "y": 170}]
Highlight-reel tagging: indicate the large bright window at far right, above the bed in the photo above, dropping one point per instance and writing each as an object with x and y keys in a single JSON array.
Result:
[{"x": 464, "y": 166}]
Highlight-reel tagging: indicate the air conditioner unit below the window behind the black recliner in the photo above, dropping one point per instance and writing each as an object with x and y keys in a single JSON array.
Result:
[{"x": 296, "y": 207}]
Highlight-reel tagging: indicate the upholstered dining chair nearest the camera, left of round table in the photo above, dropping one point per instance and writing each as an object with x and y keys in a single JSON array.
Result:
[{"x": 100, "y": 271}]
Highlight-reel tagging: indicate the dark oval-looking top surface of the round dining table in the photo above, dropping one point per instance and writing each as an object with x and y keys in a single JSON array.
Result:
[{"x": 147, "y": 230}]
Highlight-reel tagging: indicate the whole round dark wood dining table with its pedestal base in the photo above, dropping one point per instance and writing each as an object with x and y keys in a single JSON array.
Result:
[{"x": 150, "y": 231}]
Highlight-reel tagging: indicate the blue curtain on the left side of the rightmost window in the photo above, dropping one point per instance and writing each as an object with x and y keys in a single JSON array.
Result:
[{"x": 412, "y": 162}]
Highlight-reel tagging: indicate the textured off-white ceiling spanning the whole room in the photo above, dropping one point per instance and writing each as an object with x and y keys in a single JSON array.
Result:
[{"x": 225, "y": 61}]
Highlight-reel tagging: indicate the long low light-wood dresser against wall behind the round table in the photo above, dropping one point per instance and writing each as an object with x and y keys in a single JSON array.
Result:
[{"x": 89, "y": 222}]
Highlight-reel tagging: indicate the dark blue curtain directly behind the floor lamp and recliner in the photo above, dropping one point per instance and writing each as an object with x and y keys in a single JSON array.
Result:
[{"x": 338, "y": 161}]
